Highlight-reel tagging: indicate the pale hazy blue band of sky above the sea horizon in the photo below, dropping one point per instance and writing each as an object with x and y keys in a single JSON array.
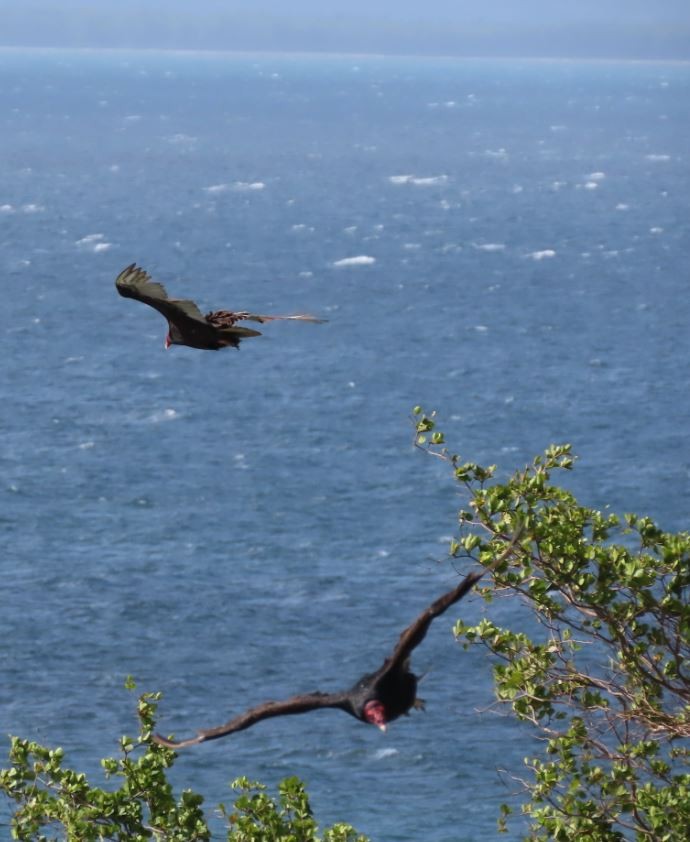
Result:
[{"x": 588, "y": 28}]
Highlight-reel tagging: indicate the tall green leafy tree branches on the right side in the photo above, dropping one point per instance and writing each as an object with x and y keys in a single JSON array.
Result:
[{"x": 606, "y": 677}]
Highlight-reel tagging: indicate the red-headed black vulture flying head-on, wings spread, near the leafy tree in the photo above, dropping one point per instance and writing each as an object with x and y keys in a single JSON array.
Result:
[{"x": 377, "y": 698}]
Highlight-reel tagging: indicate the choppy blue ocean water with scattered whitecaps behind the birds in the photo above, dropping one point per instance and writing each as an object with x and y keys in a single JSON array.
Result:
[{"x": 506, "y": 242}]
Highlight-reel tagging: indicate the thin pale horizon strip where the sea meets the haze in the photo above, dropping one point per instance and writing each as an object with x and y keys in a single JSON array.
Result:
[{"x": 343, "y": 54}]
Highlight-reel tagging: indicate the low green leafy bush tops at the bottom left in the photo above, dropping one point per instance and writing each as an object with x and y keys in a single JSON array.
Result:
[{"x": 51, "y": 798}]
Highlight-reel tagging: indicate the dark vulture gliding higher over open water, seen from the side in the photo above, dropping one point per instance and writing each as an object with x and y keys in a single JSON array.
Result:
[{"x": 186, "y": 324}]
